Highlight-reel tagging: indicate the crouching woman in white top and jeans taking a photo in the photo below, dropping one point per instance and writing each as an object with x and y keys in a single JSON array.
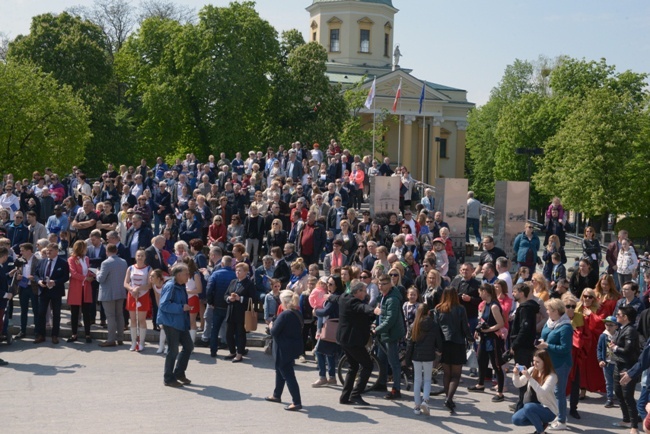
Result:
[{"x": 540, "y": 406}]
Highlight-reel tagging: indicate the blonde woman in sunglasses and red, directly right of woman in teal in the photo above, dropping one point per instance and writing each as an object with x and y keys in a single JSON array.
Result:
[{"x": 578, "y": 354}]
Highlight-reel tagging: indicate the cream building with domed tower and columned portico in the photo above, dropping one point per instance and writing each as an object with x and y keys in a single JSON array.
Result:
[{"x": 360, "y": 39}]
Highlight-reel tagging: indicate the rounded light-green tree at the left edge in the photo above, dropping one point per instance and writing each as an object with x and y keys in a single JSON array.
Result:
[{"x": 43, "y": 123}]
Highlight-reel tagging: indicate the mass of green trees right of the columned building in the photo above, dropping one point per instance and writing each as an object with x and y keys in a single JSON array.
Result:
[{"x": 591, "y": 123}]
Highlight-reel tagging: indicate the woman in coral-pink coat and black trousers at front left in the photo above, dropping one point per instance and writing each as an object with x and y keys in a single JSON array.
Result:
[{"x": 80, "y": 293}]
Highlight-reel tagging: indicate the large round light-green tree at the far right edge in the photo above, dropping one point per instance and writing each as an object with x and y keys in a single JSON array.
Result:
[{"x": 589, "y": 160}]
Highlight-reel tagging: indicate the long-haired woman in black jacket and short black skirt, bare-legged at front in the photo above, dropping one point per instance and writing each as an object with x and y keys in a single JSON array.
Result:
[{"x": 452, "y": 319}]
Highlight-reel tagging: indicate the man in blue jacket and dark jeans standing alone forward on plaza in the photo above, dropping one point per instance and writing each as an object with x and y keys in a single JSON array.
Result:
[{"x": 174, "y": 316}]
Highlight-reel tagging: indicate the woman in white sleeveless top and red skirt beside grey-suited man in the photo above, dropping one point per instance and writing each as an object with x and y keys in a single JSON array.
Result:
[{"x": 137, "y": 284}]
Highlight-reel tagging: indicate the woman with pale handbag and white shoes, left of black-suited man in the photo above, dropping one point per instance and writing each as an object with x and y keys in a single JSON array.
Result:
[{"x": 327, "y": 349}]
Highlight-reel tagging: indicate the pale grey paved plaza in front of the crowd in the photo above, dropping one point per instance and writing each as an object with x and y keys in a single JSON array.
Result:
[{"x": 82, "y": 388}]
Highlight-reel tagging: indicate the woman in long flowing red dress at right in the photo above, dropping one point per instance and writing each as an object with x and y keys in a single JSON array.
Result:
[{"x": 592, "y": 378}]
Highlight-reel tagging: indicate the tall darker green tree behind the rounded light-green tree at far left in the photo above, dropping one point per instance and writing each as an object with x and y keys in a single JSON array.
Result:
[{"x": 76, "y": 53}]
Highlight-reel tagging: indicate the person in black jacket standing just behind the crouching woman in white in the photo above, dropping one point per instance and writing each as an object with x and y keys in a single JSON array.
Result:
[{"x": 523, "y": 333}]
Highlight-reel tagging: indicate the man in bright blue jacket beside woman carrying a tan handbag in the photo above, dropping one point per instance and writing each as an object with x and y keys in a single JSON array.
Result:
[{"x": 215, "y": 293}]
